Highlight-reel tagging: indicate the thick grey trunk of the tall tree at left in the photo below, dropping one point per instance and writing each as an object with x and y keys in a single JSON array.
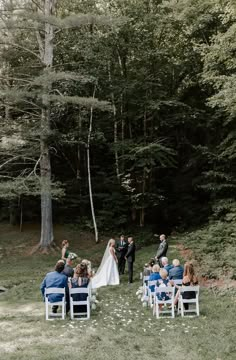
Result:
[{"x": 45, "y": 163}]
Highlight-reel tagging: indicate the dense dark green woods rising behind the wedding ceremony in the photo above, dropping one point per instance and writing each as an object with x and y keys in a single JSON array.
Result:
[{"x": 137, "y": 96}]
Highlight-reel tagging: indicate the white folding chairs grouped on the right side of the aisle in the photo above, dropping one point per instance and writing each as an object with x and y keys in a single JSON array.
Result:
[{"x": 168, "y": 306}]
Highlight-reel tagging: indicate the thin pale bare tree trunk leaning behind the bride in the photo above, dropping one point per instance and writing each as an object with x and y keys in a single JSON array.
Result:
[{"x": 89, "y": 172}]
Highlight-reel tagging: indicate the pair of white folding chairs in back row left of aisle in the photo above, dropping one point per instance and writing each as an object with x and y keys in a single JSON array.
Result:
[{"x": 50, "y": 315}]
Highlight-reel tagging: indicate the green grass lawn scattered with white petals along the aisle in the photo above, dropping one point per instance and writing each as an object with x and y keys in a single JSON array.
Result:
[{"x": 119, "y": 328}]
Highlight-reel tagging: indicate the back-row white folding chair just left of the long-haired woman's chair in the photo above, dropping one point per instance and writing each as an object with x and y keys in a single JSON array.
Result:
[{"x": 168, "y": 306}]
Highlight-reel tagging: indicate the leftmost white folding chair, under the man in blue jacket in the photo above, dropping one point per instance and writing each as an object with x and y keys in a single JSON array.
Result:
[{"x": 49, "y": 314}]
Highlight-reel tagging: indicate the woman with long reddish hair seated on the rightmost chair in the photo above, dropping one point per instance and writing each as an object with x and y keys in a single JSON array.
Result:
[{"x": 189, "y": 279}]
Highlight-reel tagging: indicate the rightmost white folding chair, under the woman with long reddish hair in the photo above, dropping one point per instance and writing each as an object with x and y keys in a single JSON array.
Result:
[{"x": 193, "y": 301}]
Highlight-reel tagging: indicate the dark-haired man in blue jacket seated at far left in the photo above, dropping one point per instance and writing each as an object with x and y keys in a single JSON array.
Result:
[{"x": 56, "y": 279}]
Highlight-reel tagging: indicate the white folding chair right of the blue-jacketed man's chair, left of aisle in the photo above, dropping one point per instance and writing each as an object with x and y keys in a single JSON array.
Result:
[{"x": 80, "y": 315}]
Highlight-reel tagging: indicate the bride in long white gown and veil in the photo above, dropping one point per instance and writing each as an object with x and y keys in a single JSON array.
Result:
[{"x": 107, "y": 273}]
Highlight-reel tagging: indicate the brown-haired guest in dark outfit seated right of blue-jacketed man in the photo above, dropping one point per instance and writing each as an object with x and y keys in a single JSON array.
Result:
[{"x": 80, "y": 280}]
